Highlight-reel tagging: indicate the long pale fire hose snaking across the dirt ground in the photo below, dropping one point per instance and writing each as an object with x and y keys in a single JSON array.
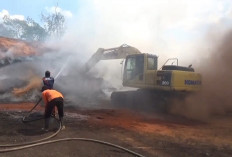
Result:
[{"x": 20, "y": 146}]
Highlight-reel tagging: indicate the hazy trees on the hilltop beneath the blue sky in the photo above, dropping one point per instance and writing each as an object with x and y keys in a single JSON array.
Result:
[{"x": 29, "y": 30}]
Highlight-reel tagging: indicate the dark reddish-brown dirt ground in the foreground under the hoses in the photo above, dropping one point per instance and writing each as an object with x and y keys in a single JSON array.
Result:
[{"x": 151, "y": 135}]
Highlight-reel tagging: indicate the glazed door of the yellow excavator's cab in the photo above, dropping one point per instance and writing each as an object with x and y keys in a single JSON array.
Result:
[{"x": 134, "y": 70}]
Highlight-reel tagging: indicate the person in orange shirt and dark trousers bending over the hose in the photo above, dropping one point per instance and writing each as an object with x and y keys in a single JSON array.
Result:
[{"x": 51, "y": 99}]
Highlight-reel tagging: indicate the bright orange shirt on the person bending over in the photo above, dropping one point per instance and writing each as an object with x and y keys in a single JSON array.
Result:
[{"x": 50, "y": 94}]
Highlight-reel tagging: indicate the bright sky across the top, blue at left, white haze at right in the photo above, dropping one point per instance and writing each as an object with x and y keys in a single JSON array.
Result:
[{"x": 176, "y": 28}]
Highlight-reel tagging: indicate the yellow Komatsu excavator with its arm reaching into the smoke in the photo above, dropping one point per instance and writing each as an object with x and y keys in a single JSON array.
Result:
[{"x": 141, "y": 71}]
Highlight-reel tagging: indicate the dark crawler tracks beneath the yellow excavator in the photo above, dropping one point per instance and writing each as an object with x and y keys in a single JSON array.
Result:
[{"x": 146, "y": 100}]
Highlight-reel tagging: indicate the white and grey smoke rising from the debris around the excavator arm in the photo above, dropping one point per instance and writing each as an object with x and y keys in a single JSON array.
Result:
[{"x": 168, "y": 29}]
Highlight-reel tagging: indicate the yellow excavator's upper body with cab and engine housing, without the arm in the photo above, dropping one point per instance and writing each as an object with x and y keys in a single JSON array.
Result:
[{"x": 141, "y": 71}]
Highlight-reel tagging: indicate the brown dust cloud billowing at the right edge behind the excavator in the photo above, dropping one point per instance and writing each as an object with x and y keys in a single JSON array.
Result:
[{"x": 215, "y": 96}]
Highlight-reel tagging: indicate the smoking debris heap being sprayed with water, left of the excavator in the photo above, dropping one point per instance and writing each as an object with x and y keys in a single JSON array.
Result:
[{"x": 24, "y": 81}]
